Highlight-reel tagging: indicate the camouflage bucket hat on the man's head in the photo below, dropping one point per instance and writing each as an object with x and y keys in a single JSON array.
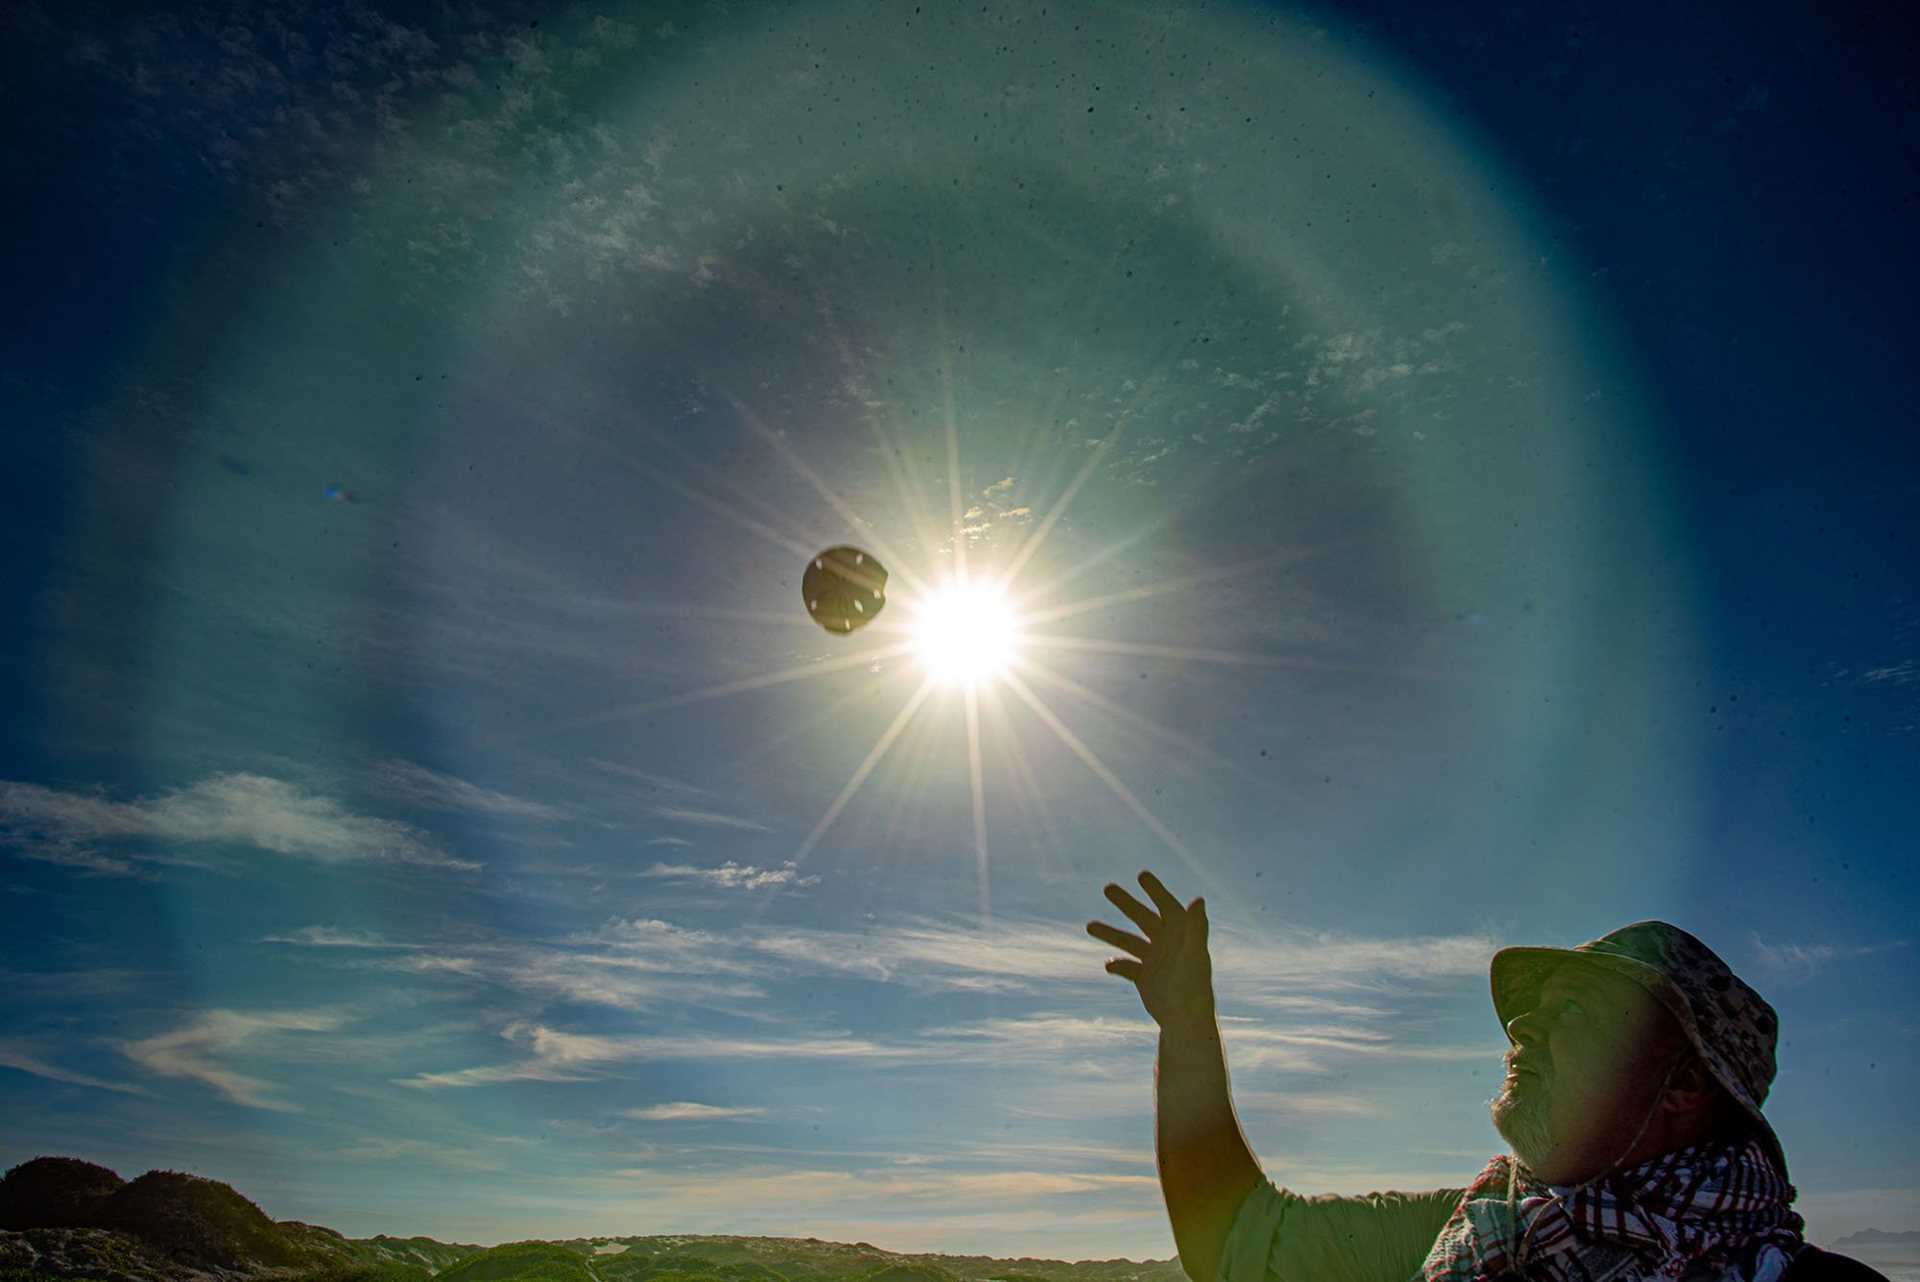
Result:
[{"x": 1733, "y": 1030}]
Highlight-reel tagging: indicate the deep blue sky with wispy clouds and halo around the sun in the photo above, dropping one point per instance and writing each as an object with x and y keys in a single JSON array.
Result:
[{"x": 1456, "y": 500}]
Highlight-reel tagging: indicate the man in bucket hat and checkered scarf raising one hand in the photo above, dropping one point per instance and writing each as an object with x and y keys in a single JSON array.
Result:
[{"x": 1633, "y": 1106}]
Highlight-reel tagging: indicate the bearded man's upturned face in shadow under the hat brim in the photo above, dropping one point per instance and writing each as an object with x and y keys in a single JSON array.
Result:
[{"x": 1583, "y": 1074}]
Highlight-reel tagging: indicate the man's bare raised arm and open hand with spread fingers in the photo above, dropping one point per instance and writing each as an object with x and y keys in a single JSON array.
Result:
[{"x": 1207, "y": 1168}]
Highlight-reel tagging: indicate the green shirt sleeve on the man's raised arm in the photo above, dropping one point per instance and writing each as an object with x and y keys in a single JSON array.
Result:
[{"x": 1280, "y": 1237}]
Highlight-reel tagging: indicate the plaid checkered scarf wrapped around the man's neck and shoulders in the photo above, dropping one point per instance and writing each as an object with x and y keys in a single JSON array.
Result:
[{"x": 1714, "y": 1210}]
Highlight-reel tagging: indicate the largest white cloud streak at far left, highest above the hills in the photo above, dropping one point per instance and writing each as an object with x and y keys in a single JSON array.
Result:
[{"x": 231, "y": 809}]
